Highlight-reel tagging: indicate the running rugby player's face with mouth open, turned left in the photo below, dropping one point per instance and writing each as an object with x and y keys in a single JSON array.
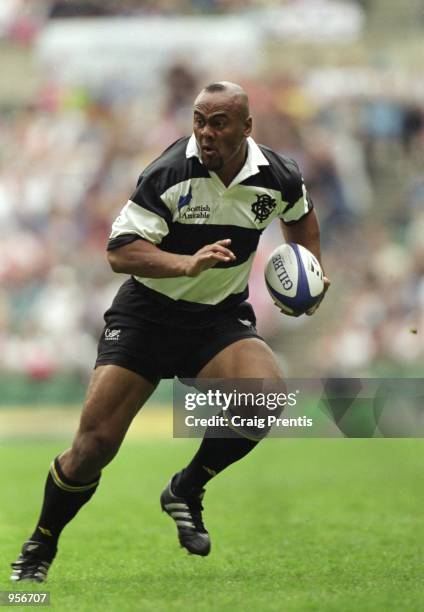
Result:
[{"x": 220, "y": 128}]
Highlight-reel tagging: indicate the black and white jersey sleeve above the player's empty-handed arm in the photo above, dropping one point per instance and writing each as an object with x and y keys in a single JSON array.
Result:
[{"x": 144, "y": 216}]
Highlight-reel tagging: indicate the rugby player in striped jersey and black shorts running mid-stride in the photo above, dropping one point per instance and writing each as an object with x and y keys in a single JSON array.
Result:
[{"x": 187, "y": 238}]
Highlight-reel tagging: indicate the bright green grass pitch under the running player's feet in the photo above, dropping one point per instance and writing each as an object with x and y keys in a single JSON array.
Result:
[{"x": 298, "y": 525}]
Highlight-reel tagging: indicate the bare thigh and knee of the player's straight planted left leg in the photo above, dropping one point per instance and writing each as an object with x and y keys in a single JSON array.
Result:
[{"x": 114, "y": 397}]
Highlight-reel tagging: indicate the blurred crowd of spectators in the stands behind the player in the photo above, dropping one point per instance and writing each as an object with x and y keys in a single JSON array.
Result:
[{"x": 70, "y": 159}]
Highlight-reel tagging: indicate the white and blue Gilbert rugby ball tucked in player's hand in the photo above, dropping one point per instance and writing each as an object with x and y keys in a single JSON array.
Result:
[{"x": 294, "y": 278}]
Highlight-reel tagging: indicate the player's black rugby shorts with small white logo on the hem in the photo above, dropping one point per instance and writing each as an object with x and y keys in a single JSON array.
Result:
[{"x": 156, "y": 350}]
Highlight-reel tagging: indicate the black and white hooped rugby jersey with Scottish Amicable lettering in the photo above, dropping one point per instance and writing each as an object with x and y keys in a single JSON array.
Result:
[{"x": 180, "y": 206}]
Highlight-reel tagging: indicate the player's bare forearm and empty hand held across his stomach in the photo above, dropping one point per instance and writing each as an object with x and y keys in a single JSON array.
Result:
[{"x": 142, "y": 258}]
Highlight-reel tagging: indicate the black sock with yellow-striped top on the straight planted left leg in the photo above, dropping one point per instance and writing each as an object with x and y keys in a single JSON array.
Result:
[{"x": 62, "y": 500}]
